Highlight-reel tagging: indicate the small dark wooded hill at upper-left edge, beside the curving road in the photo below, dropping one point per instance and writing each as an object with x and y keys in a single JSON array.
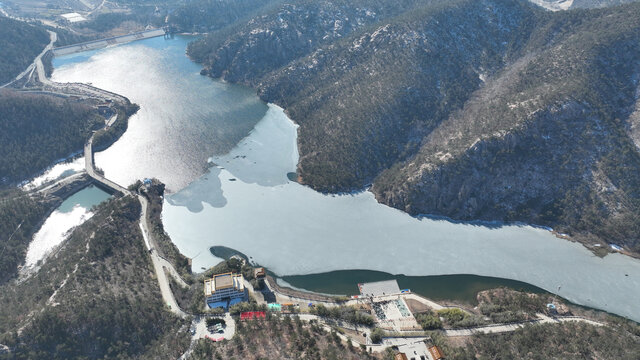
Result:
[{"x": 20, "y": 43}]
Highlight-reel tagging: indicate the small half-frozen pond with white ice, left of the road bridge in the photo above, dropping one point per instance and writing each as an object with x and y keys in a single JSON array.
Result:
[{"x": 72, "y": 212}]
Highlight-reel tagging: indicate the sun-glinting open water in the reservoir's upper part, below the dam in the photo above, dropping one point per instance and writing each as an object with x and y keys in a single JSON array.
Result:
[{"x": 184, "y": 118}]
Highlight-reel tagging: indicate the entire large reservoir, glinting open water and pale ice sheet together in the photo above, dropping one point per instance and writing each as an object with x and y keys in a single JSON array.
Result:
[{"x": 226, "y": 158}]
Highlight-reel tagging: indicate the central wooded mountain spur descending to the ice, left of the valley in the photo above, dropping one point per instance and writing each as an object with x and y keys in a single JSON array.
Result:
[{"x": 365, "y": 102}]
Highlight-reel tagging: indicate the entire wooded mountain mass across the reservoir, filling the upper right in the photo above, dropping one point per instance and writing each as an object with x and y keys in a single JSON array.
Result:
[{"x": 491, "y": 109}]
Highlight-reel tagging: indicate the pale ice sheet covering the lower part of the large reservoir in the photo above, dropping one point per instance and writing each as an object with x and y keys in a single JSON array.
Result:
[{"x": 247, "y": 203}]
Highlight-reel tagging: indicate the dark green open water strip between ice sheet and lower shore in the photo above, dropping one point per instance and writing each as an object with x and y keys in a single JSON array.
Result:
[{"x": 439, "y": 287}]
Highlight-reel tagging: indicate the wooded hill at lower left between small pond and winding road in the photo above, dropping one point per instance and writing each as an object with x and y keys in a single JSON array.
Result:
[{"x": 95, "y": 298}]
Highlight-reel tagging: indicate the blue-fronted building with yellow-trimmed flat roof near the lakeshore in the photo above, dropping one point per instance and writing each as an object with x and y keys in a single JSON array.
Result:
[{"x": 224, "y": 290}]
